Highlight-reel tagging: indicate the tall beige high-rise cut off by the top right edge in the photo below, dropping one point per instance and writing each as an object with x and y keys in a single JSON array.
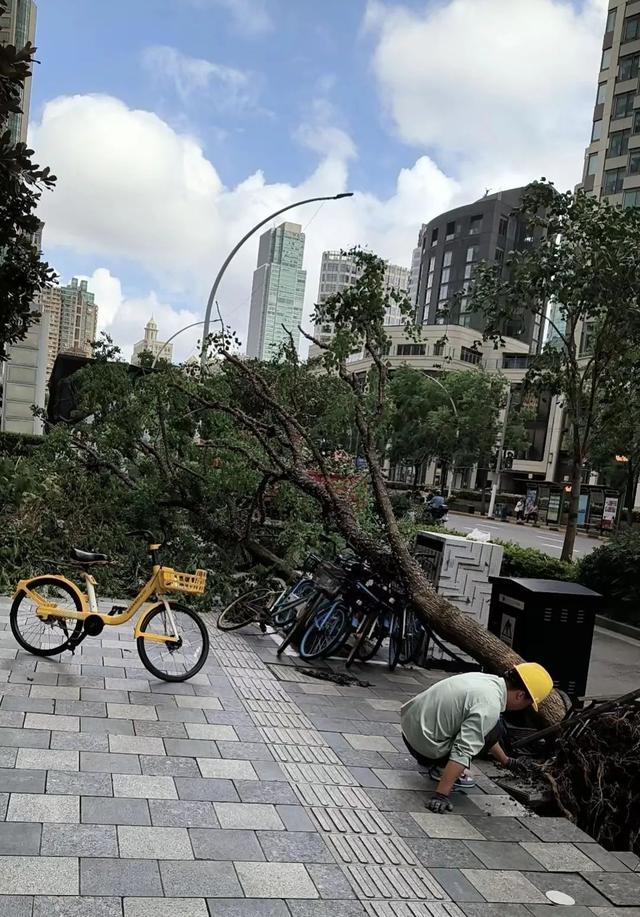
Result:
[{"x": 612, "y": 160}]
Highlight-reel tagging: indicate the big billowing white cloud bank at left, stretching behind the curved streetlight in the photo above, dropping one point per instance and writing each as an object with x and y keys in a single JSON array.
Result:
[{"x": 135, "y": 189}]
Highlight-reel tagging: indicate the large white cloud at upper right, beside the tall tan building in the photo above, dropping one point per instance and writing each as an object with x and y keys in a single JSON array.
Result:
[{"x": 500, "y": 90}]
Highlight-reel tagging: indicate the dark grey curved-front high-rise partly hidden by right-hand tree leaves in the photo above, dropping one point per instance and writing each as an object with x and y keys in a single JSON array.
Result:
[{"x": 454, "y": 244}]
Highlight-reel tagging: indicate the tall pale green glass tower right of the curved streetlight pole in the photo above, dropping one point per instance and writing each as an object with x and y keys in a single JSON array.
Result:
[{"x": 277, "y": 294}]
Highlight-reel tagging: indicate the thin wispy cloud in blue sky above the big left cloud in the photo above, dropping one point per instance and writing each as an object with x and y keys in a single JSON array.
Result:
[{"x": 225, "y": 88}]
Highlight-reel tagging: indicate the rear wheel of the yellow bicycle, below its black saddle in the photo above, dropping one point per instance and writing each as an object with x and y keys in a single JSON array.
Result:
[{"x": 45, "y": 638}]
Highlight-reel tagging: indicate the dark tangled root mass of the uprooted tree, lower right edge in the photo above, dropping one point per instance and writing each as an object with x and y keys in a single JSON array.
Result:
[{"x": 595, "y": 777}]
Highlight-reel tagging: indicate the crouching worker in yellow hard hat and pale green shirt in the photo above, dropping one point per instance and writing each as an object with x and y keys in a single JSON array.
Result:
[{"x": 453, "y": 721}]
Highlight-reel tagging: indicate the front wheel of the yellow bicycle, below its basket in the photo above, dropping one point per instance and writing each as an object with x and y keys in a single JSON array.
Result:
[{"x": 174, "y": 661}]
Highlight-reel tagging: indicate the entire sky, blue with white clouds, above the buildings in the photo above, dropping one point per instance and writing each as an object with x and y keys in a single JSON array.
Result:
[{"x": 222, "y": 108}]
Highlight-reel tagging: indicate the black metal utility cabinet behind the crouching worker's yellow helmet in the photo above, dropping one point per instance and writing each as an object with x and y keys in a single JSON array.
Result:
[{"x": 549, "y": 622}]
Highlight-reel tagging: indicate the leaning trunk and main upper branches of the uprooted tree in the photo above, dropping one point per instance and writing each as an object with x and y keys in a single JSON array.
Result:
[{"x": 274, "y": 438}]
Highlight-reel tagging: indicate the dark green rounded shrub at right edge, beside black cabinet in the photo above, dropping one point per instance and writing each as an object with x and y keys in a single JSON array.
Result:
[{"x": 612, "y": 569}]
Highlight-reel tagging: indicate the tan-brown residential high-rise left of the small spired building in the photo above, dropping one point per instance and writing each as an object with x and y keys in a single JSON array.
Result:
[{"x": 73, "y": 319}]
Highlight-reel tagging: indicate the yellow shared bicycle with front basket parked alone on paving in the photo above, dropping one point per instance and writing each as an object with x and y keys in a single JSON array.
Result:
[{"x": 51, "y": 614}]
